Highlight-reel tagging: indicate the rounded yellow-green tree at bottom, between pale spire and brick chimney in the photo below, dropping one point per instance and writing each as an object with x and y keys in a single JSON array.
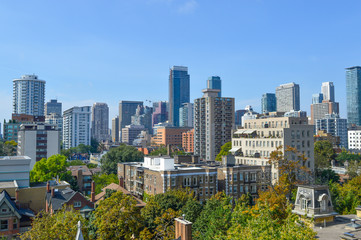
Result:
[{"x": 117, "y": 217}]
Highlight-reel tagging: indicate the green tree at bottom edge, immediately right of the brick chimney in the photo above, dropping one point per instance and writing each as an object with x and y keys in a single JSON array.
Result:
[{"x": 215, "y": 219}]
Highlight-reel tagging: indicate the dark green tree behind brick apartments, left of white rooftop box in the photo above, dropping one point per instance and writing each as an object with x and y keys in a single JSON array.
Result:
[{"x": 123, "y": 153}]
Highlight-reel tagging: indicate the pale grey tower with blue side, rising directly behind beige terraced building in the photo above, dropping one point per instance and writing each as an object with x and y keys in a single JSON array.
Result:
[{"x": 288, "y": 97}]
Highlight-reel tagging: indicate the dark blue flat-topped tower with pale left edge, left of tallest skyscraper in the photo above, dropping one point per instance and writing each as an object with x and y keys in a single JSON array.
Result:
[{"x": 126, "y": 110}]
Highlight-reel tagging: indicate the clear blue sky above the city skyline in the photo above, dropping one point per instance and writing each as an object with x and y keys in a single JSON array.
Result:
[{"x": 112, "y": 50}]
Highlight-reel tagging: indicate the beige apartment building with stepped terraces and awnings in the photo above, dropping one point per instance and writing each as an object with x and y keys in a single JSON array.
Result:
[{"x": 254, "y": 143}]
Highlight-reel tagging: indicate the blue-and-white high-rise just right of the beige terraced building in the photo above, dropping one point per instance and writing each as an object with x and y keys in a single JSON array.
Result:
[{"x": 333, "y": 124}]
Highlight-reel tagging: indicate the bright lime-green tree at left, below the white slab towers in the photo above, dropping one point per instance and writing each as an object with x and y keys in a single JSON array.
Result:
[{"x": 47, "y": 169}]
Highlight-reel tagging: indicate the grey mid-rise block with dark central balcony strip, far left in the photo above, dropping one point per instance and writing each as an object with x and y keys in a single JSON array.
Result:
[{"x": 38, "y": 141}]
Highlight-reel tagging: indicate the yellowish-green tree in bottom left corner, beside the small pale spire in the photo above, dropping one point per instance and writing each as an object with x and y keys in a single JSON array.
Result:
[{"x": 61, "y": 225}]
